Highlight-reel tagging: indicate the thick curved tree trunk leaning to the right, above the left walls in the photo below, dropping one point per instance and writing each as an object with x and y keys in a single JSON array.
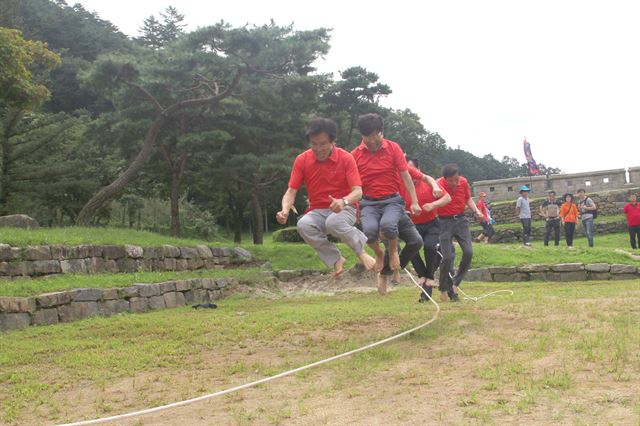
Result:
[{"x": 117, "y": 186}]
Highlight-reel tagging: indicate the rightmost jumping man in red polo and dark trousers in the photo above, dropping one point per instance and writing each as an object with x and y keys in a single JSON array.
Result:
[{"x": 454, "y": 224}]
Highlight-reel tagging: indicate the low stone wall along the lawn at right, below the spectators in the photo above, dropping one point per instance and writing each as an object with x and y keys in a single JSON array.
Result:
[{"x": 560, "y": 272}]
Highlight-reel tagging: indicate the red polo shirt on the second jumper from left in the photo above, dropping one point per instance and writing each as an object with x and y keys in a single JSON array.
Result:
[{"x": 379, "y": 170}]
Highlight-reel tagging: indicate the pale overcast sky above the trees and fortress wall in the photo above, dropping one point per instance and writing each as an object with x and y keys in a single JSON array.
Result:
[{"x": 483, "y": 74}]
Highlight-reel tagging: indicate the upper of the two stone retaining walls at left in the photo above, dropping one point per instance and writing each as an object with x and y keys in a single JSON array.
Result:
[{"x": 57, "y": 259}]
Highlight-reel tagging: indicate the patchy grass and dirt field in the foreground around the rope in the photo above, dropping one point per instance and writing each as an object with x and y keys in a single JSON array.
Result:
[{"x": 551, "y": 354}]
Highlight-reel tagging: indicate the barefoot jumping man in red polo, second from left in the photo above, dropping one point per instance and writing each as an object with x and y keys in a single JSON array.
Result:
[{"x": 380, "y": 161}]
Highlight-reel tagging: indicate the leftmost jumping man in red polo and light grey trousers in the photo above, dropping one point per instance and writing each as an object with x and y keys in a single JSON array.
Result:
[{"x": 333, "y": 185}]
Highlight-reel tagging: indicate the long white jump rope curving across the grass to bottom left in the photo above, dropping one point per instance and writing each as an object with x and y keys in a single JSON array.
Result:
[{"x": 266, "y": 379}]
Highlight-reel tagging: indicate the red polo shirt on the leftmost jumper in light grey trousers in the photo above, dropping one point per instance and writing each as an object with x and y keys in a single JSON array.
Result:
[{"x": 335, "y": 176}]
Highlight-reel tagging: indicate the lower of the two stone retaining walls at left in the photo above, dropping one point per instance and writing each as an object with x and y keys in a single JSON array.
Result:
[{"x": 73, "y": 305}]
